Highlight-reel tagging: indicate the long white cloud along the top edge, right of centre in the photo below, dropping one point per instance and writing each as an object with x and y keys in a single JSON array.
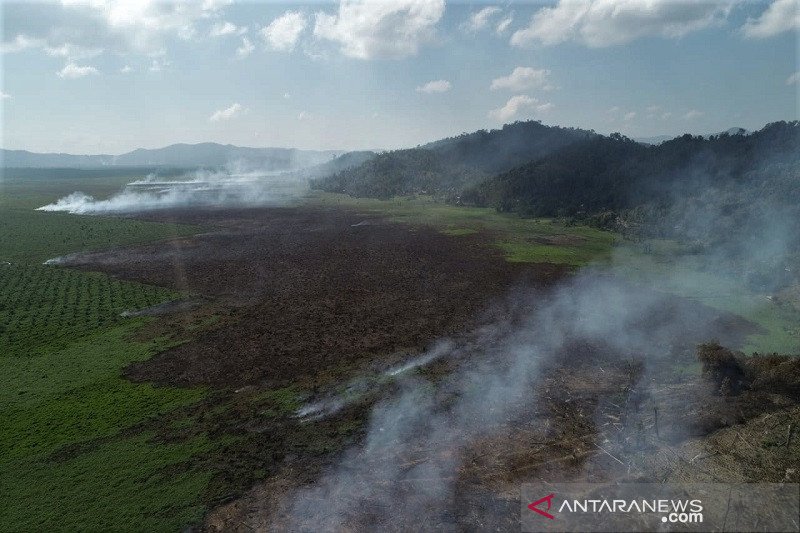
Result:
[{"x": 598, "y": 23}]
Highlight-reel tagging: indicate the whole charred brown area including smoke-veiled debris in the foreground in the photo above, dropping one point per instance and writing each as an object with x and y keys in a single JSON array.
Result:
[{"x": 545, "y": 374}]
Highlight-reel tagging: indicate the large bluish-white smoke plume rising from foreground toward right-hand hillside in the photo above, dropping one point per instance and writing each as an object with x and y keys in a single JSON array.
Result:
[{"x": 405, "y": 473}]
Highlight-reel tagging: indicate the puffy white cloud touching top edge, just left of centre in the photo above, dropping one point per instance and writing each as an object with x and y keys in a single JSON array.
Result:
[{"x": 367, "y": 29}]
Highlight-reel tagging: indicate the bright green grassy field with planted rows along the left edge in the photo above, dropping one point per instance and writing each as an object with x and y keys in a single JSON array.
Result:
[{"x": 70, "y": 458}]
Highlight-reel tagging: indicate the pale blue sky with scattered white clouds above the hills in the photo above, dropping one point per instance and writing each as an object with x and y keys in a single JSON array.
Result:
[{"x": 111, "y": 76}]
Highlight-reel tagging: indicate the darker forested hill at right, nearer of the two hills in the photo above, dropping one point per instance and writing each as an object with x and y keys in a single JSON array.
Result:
[{"x": 613, "y": 173}]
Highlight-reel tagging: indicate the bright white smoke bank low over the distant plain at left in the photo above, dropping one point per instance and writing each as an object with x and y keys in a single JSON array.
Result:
[{"x": 201, "y": 188}]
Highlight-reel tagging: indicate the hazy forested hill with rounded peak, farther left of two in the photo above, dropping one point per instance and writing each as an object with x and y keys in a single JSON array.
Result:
[{"x": 448, "y": 166}]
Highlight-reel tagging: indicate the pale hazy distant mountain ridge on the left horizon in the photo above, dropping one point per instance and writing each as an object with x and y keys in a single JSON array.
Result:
[{"x": 178, "y": 155}]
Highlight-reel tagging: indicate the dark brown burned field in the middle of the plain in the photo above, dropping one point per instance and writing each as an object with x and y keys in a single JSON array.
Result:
[{"x": 308, "y": 291}]
